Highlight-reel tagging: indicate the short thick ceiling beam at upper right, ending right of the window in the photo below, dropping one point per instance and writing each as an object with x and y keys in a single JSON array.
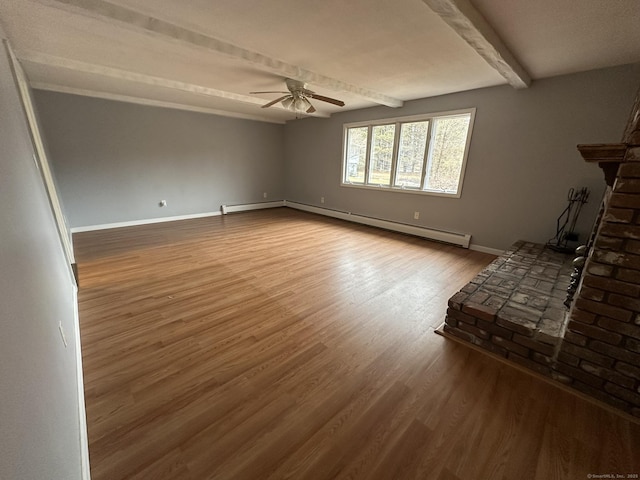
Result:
[{"x": 469, "y": 24}]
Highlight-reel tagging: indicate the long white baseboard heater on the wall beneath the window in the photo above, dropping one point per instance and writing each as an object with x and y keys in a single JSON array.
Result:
[{"x": 461, "y": 239}]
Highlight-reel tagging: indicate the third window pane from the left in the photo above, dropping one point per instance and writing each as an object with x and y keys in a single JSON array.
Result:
[{"x": 413, "y": 139}]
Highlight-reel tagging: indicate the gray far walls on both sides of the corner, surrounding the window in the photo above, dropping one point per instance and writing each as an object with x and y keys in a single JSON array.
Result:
[{"x": 114, "y": 161}]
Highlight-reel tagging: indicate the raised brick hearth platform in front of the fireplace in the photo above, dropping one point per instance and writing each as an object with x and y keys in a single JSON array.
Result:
[{"x": 514, "y": 307}]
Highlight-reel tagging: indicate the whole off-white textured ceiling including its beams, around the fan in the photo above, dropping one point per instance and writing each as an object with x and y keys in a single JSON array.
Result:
[{"x": 208, "y": 55}]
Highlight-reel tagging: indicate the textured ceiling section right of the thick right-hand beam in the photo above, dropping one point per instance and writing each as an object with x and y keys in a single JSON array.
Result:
[{"x": 555, "y": 37}]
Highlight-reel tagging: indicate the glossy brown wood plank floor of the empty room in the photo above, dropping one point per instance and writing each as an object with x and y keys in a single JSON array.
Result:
[{"x": 279, "y": 344}]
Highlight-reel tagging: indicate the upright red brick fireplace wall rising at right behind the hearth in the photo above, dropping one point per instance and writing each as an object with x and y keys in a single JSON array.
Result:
[{"x": 600, "y": 354}]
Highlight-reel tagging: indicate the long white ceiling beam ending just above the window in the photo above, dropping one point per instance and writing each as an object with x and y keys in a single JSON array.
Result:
[{"x": 140, "y": 22}]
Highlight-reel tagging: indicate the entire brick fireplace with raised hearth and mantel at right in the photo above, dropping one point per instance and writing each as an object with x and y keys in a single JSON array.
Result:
[{"x": 514, "y": 308}]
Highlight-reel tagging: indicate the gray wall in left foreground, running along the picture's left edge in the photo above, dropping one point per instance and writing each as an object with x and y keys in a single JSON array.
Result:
[{"x": 39, "y": 409}]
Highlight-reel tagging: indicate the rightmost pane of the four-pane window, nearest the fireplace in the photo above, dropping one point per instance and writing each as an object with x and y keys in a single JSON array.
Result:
[{"x": 447, "y": 153}]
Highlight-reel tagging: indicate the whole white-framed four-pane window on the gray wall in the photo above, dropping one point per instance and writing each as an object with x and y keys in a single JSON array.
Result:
[{"x": 423, "y": 154}]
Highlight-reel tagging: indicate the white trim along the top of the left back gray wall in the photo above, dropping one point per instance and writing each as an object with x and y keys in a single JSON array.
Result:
[{"x": 148, "y": 102}]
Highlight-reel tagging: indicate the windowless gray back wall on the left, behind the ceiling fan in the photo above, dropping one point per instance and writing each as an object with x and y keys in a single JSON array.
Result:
[{"x": 115, "y": 161}]
